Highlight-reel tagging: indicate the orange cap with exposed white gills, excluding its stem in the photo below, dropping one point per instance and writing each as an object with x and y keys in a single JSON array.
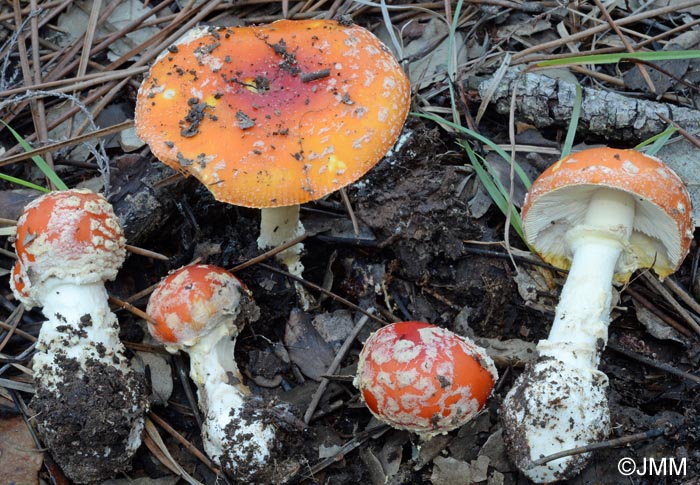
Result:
[{"x": 663, "y": 225}]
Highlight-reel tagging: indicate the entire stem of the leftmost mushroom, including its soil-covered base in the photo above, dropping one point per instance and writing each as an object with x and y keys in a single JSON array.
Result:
[{"x": 80, "y": 358}]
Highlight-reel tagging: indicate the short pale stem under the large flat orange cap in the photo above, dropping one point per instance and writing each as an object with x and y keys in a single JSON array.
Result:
[{"x": 277, "y": 226}]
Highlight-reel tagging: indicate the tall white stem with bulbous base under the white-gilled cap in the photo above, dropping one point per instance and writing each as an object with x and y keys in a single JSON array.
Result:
[{"x": 560, "y": 402}]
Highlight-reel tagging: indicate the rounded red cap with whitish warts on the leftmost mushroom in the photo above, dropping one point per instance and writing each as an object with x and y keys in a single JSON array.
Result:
[{"x": 72, "y": 234}]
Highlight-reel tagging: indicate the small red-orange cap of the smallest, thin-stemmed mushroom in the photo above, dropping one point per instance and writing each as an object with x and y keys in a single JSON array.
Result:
[{"x": 191, "y": 302}]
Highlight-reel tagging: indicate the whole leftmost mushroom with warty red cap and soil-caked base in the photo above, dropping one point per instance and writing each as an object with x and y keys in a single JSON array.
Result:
[{"x": 89, "y": 403}]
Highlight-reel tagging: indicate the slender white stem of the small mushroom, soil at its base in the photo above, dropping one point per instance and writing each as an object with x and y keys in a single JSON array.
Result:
[{"x": 232, "y": 434}]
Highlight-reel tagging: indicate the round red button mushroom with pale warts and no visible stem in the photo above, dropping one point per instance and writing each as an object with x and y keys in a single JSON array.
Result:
[{"x": 422, "y": 378}]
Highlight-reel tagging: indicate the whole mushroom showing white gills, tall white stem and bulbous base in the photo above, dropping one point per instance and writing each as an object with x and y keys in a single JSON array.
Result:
[{"x": 601, "y": 213}]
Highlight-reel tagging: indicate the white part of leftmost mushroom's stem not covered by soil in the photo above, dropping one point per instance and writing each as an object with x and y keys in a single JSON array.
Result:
[{"x": 80, "y": 326}]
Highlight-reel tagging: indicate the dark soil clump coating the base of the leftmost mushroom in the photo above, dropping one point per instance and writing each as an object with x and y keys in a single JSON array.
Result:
[{"x": 95, "y": 407}]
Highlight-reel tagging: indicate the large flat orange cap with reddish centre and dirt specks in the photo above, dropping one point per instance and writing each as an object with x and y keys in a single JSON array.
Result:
[{"x": 274, "y": 115}]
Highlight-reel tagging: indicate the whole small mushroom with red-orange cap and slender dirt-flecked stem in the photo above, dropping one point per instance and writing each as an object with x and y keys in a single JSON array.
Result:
[{"x": 200, "y": 310}]
